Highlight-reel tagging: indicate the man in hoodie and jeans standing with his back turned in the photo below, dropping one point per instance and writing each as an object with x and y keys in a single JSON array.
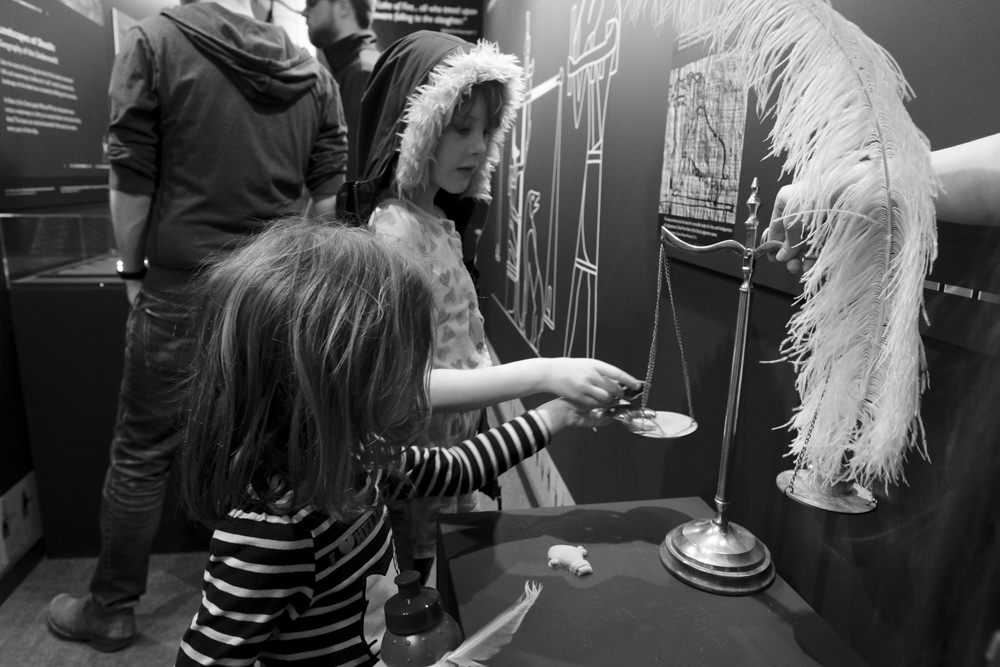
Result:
[{"x": 219, "y": 124}]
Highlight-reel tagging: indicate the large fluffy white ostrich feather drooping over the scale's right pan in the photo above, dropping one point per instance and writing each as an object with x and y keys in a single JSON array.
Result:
[{"x": 865, "y": 187}]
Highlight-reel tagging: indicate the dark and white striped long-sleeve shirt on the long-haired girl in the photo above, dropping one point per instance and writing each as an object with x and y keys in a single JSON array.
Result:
[{"x": 307, "y": 589}]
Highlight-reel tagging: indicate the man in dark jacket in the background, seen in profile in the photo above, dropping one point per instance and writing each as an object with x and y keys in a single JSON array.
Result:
[{"x": 341, "y": 30}]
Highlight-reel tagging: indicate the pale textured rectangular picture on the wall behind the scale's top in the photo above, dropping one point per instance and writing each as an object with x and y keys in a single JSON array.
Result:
[{"x": 703, "y": 148}]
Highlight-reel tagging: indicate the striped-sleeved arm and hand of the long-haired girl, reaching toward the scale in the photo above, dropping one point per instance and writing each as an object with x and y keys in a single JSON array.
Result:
[{"x": 469, "y": 465}]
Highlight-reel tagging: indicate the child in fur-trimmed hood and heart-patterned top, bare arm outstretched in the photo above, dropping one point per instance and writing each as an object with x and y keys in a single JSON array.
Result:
[{"x": 433, "y": 120}]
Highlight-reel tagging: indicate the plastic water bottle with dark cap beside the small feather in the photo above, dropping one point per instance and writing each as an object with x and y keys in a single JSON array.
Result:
[{"x": 418, "y": 630}]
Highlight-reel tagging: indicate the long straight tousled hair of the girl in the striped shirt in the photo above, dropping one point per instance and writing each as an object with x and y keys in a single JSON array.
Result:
[{"x": 311, "y": 371}]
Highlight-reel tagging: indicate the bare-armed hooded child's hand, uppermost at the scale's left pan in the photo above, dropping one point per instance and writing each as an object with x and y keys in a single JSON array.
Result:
[{"x": 589, "y": 383}]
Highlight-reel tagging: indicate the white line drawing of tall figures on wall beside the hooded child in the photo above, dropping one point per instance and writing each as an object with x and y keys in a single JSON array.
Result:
[{"x": 530, "y": 293}]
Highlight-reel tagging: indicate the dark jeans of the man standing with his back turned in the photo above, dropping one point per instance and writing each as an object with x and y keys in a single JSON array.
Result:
[{"x": 158, "y": 350}]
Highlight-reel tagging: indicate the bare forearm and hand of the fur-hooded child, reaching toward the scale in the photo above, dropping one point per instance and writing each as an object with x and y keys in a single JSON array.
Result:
[{"x": 588, "y": 382}]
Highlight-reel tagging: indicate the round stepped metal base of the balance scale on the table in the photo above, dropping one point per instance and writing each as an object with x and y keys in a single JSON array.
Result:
[{"x": 722, "y": 558}]
